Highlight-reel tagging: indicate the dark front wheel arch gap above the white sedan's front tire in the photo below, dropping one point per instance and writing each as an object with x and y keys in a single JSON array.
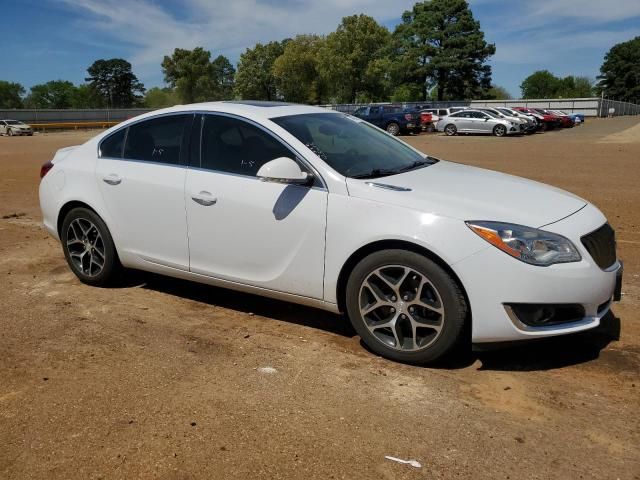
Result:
[{"x": 364, "y": 251}]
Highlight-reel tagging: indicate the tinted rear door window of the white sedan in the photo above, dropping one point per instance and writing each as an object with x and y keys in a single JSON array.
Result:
[{"x": 156, "y": 140}]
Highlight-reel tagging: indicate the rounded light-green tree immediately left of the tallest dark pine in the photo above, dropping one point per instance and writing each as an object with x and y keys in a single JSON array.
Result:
[{"x": 351, "y": 59}]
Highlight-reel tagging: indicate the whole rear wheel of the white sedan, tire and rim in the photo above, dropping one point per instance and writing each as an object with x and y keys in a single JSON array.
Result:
[{"x": 89, "y": 248}]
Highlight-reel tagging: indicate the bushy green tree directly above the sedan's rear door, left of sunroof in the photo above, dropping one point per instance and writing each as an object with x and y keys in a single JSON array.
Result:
[{"x": 196, "y": 78}]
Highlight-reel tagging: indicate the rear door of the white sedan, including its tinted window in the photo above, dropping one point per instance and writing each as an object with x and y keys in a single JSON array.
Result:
[{"x": 141, "y": 173}]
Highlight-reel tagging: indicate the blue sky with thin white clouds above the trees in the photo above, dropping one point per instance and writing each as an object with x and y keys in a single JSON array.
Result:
[{"x": 58, "y": 39}]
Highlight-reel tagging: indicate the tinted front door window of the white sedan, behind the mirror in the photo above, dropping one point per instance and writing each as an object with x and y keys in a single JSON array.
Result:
[{"x": 235, "y": 146}]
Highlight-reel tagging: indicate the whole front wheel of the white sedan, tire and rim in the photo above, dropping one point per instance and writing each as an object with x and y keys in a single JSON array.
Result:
[{"x": 405, "y": 307}]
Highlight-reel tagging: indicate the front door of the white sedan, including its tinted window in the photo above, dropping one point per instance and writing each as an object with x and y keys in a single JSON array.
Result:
[{"x": 249, "y": 231}]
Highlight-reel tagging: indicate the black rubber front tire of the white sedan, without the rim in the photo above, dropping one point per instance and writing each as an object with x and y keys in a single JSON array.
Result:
[{"x": 452, "y": 299}]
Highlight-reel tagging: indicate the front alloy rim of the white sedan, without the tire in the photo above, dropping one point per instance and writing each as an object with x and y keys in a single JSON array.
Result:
[{"x": 401, "y": 308}]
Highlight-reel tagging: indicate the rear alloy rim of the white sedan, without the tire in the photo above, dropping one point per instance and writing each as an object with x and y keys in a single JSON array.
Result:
[{"x": 86, "y": 247}]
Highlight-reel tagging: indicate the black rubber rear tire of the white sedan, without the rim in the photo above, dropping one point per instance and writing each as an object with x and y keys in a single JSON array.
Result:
[{"x": 111, "y": 266}]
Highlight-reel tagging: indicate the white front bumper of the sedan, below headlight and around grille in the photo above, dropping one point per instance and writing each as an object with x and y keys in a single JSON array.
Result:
[{"x": 494, "y": 280}]
